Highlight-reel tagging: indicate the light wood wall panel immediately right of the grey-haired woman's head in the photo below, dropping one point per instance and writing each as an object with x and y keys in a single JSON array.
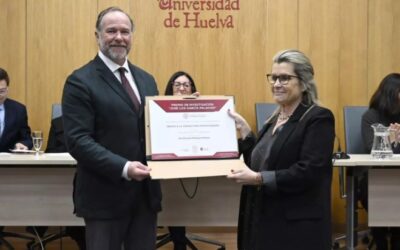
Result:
[{"x": 319, "y": 32}]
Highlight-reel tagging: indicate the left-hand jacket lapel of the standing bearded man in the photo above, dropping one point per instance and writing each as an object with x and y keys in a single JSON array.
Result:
[{"x": 109, "y": 77}]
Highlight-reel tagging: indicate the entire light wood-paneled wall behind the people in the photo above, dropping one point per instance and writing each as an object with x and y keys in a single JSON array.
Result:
[{"x": 353, "y": 44}]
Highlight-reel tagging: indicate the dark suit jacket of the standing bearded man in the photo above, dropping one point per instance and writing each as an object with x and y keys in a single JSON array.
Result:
[{"x": 103, "y": 131}]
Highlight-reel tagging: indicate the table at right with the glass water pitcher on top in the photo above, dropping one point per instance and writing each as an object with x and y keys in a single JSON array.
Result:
[{"x": 382, "y": 176}]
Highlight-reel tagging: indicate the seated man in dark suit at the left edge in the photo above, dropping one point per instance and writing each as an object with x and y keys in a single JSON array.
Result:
[{"x": 14, "y": 130}]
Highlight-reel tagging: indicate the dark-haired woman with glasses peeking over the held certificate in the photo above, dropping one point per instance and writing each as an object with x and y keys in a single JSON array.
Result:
[{"x": 180, "y": 83}]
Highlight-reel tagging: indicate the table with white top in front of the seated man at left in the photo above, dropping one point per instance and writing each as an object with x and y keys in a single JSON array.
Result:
[{"x": 37, "y": 190}]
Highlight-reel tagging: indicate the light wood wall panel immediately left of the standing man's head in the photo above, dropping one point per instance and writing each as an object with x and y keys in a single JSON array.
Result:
[{"x": 60, "y": 39}]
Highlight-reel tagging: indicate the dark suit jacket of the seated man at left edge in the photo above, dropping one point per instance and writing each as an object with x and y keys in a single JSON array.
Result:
[{"x": 16, "y": 127}]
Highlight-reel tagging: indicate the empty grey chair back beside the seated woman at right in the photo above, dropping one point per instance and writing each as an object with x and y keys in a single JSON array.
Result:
[{"x": 352, "y": 129}]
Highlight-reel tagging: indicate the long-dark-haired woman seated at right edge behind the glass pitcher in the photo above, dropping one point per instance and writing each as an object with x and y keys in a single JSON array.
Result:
[{"x": 384, "y": 108}]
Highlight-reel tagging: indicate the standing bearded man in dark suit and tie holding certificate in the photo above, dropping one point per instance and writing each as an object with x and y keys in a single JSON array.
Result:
[{"x": 103, "y": 116}]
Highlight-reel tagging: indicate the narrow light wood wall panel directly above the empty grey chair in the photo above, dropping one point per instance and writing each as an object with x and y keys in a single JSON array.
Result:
[{"x": 352, "y": 72}]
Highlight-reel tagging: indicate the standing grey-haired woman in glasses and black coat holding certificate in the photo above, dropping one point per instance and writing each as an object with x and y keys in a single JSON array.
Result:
[{"x": 286, "y": 195}]
